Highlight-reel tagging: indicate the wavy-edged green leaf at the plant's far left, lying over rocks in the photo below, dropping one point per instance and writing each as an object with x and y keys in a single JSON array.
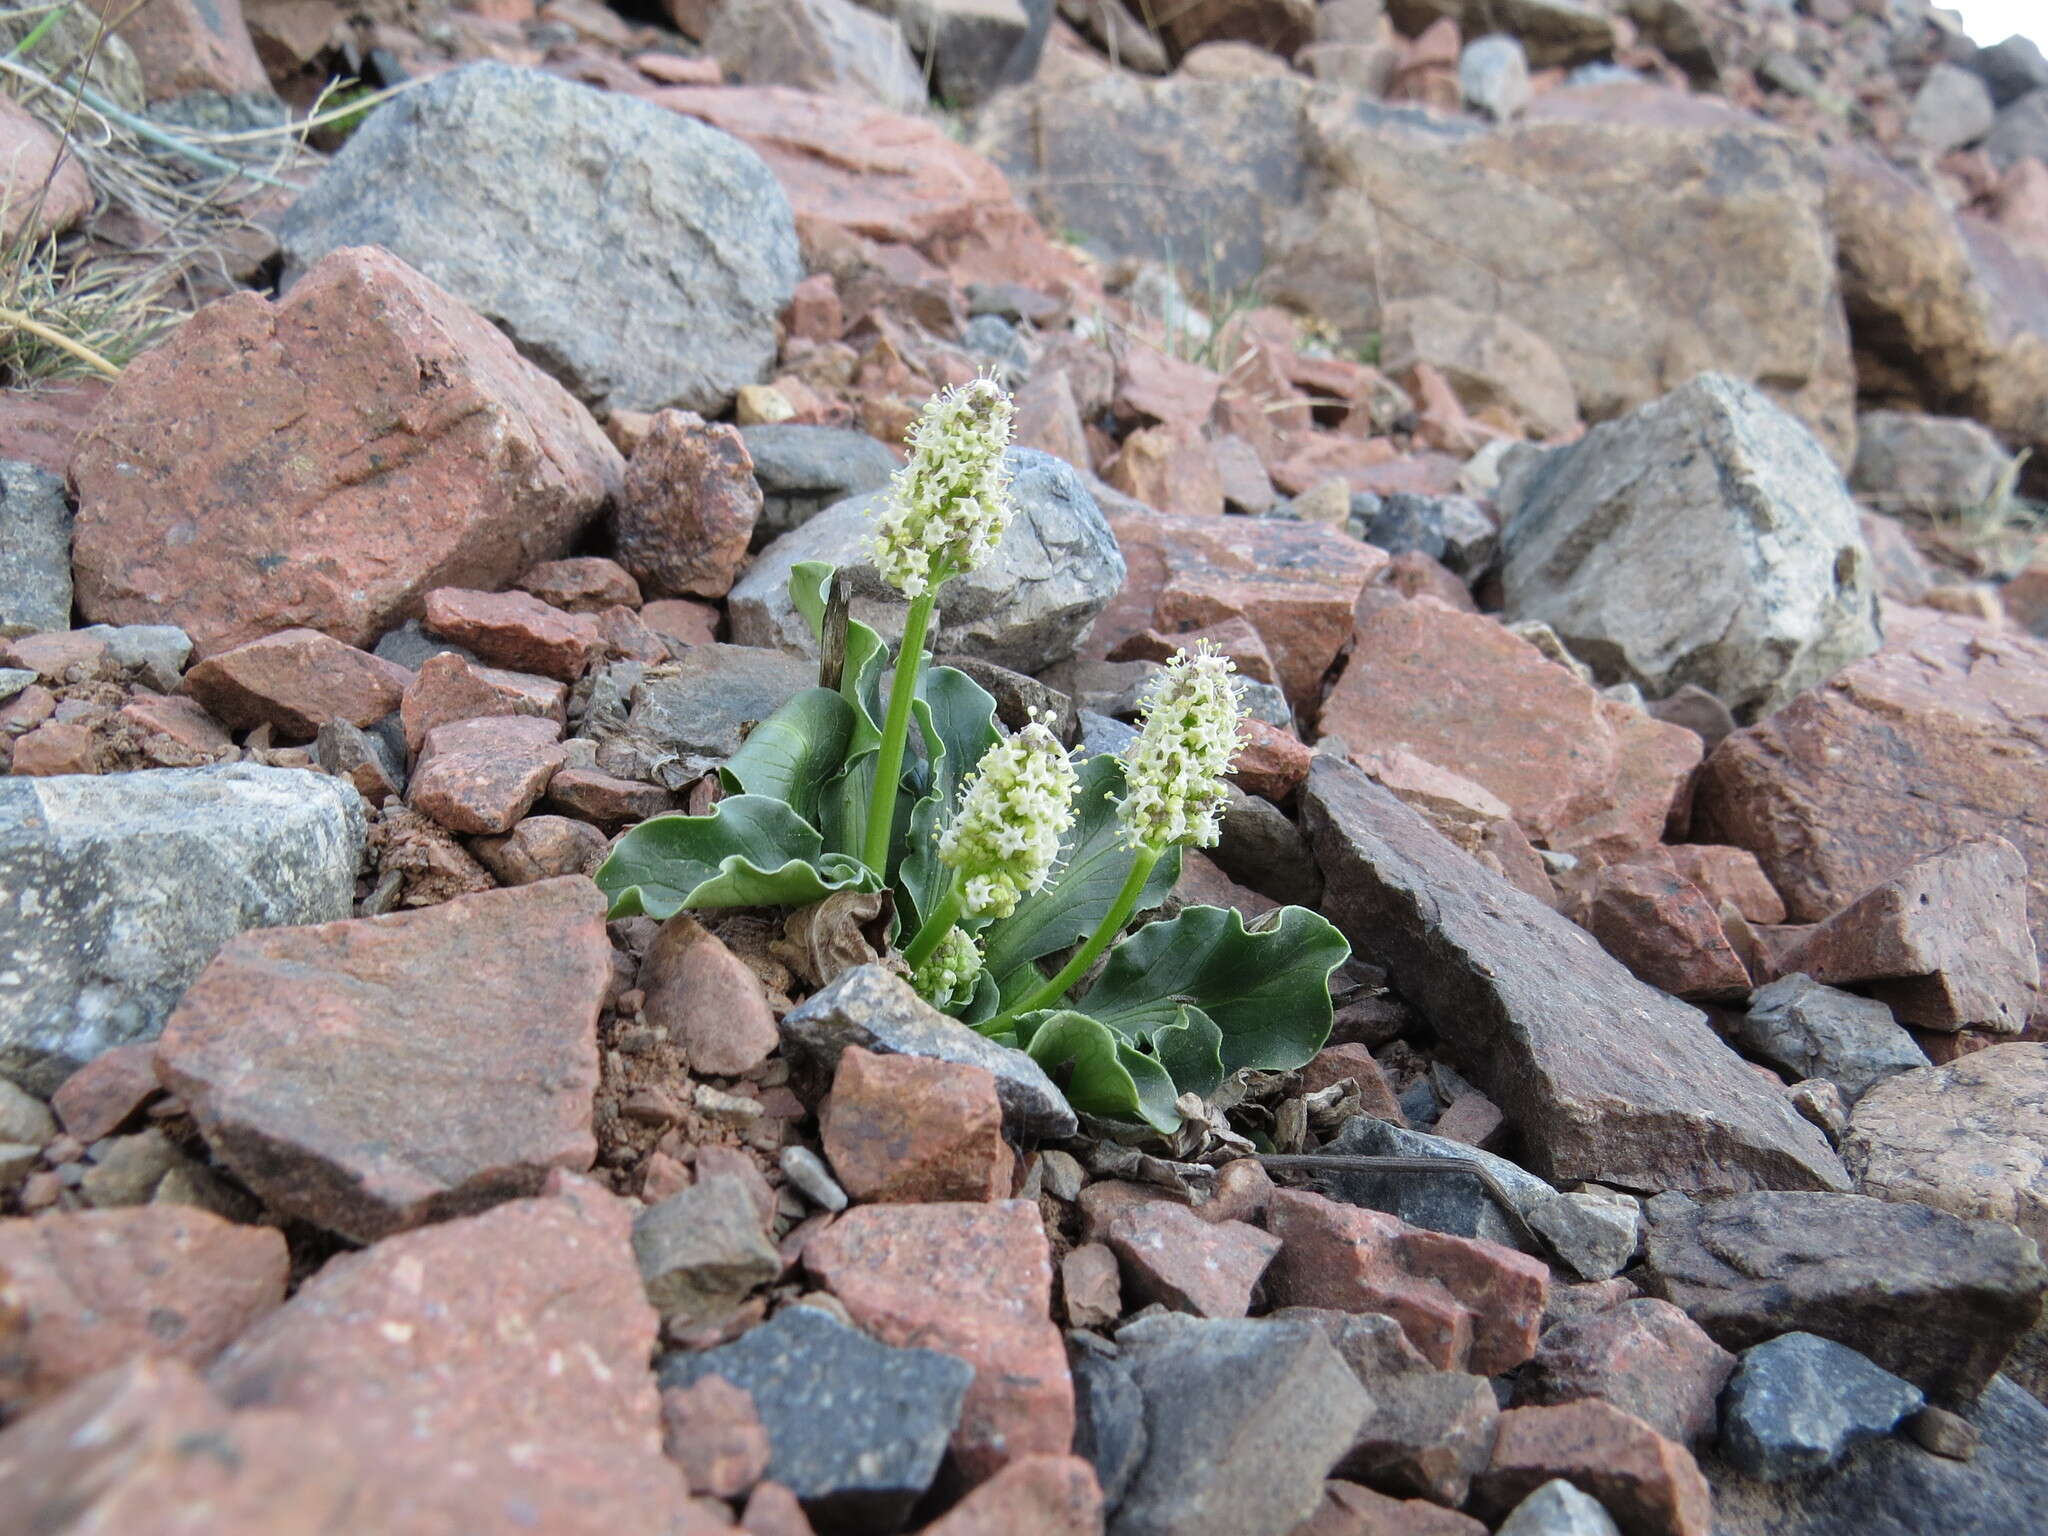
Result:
[{"x": 753, "y": 851}]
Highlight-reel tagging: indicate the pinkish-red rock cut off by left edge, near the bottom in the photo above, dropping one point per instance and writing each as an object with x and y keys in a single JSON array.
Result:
[{"x": 103, "y": 1287}]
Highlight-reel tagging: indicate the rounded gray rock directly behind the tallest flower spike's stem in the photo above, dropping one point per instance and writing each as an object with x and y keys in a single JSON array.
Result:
[{"x": 1056, "y": 568}]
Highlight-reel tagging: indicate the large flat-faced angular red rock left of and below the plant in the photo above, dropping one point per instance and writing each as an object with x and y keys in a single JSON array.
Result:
[{"x": 388, "y": 1072}]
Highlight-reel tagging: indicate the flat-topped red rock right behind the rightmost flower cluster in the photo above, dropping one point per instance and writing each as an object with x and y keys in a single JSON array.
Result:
[{"x": 1293, "y": 583}]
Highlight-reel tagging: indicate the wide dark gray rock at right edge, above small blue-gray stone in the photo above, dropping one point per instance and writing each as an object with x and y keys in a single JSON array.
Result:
[{"x": 1928, "y": 1295}]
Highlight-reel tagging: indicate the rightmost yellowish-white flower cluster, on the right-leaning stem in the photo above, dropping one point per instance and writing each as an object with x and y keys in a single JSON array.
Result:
[{"x": 1187, "y": 742}]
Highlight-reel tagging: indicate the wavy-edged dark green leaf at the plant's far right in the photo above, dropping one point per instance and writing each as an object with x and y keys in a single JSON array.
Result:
[{"x": 1267, "y": 992}]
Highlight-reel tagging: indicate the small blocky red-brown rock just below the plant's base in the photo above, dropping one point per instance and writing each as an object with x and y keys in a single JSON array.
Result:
[{"x": 914, "y": 1129}]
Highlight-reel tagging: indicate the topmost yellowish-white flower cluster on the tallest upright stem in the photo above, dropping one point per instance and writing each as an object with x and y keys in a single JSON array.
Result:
[{"x": 949, "y": 507}]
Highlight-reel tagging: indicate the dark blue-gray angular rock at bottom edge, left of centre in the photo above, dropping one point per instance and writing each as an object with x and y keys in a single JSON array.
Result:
[{"x": 855, "y": 1428}]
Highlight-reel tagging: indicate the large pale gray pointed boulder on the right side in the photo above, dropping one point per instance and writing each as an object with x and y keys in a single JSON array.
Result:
[{"x": 1701, "y": 540}]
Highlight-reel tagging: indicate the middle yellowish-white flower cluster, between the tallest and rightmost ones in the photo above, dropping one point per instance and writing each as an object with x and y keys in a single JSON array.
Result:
[{"x": 1013, "y": 814}]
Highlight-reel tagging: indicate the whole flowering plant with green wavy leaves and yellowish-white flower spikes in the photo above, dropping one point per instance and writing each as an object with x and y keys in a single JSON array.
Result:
[{"x": 998, "y": 851}]
